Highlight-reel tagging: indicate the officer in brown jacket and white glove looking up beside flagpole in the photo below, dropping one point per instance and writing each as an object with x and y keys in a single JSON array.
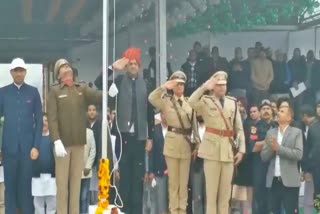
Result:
[{"x": 67, "y": 103}]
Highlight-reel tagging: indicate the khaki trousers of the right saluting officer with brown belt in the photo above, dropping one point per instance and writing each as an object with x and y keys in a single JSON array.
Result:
[{"x": 218, "y": 176}]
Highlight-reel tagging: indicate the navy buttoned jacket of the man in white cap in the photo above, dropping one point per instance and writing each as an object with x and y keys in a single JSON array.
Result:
[{"x": 22, "y": 111}]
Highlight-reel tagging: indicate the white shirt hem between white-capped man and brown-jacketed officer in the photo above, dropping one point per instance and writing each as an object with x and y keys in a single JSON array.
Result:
[{"x": 44, "y": 186}]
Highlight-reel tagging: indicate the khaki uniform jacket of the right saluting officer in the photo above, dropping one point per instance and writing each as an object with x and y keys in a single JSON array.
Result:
[{"x": 216, "y": 147}]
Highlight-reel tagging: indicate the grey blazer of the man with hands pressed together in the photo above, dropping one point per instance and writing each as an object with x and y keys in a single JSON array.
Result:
[{"x": 290, "y": 152}]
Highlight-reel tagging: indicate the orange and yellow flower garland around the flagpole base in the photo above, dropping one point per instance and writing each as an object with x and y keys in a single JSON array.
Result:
[{"x": 104, "y": 186}]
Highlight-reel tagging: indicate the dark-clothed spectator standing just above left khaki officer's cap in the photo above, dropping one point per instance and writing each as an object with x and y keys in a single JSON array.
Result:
[{"x": 192, "y": 71}]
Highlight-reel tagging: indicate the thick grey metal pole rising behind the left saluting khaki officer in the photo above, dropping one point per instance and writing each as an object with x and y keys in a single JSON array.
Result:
[{"x": 161, "y": 41}]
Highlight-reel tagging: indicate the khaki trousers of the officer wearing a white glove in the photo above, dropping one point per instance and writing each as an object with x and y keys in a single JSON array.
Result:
[{"x": 68, "y": 179}]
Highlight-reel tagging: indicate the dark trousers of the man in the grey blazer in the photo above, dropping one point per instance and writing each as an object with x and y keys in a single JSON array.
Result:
[{"x": 282, "y": 196}]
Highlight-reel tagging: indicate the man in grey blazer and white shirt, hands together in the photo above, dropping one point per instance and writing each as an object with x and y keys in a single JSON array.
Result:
[{"x": 283, "y": 149}]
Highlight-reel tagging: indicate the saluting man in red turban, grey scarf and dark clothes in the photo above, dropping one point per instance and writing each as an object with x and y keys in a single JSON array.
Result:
[{"x": 135, "y": 119}]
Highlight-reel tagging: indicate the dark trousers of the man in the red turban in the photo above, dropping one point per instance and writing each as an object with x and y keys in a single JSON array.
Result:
[{"x": 132, "y": 173}]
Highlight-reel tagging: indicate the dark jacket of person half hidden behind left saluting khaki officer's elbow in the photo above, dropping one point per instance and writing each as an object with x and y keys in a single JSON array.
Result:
[{"x": 158, "y": 161}]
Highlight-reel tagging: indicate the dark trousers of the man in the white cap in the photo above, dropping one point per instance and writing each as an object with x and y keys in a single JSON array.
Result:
[{"x": 17, "y": 181}]
